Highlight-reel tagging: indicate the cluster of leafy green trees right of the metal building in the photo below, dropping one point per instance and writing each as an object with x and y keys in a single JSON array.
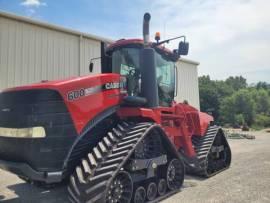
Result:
[{"x": 235, "y": 103}]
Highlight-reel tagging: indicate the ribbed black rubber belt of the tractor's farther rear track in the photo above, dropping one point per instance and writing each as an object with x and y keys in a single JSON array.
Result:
[{"x": 202, "y": 147}]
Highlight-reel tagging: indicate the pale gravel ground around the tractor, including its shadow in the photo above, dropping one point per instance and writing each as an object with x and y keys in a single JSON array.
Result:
[{"x": 247, "y": 180}]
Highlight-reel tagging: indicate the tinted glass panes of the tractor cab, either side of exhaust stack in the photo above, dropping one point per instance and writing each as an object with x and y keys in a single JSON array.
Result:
[{"x": 126, "y": 62}]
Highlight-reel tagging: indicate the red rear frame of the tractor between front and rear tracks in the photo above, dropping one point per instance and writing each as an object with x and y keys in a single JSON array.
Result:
[{"x": 180, "y": 122}]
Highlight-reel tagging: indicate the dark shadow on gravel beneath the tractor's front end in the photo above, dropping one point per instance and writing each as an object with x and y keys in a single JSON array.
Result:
[{"x": 31, "y": 193}]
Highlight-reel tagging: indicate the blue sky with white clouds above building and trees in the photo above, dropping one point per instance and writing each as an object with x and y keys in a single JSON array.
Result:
[{"x": 229, "y": 37}]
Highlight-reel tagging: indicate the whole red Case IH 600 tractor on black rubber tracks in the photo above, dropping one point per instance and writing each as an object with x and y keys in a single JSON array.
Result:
[{"x": 118, "y": 136}]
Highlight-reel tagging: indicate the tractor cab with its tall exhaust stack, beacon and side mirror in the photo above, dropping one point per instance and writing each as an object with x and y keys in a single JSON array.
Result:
[{"x": 148, "y": 67}]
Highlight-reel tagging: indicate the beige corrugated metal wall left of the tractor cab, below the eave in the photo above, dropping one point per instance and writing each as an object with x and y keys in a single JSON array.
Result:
[{"x": 30, "y": 53}]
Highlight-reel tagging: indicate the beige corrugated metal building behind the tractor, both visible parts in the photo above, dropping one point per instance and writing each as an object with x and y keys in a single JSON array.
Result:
[{"x": 32, "y": 51}]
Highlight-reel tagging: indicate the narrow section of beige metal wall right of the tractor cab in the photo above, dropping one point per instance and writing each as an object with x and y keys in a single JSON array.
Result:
[{"x": 188, "y": 87}]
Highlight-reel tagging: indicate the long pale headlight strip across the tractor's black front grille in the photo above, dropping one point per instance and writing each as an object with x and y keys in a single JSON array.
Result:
[{"x": 34, "y": 132}]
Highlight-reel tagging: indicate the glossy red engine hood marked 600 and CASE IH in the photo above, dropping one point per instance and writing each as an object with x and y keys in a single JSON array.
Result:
[{"x": 85, "y": 97}]
